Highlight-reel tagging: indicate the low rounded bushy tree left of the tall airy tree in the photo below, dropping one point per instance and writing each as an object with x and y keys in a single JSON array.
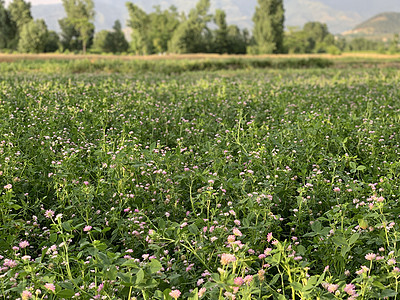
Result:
[{"x": 33, "y": 37}]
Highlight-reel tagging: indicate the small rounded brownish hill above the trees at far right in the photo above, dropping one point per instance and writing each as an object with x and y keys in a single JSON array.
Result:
[{"x": 381, "y": 25}]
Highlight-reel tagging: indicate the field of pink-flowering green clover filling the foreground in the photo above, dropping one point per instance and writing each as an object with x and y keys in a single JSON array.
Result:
[{"x": 221, "y": 185}]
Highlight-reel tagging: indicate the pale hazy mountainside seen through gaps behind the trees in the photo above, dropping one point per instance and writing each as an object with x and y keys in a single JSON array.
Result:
[{"x": 339, "y": 15}]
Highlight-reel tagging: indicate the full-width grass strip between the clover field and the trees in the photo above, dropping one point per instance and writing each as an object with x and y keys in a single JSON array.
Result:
[{"x": 173, "y": 64}]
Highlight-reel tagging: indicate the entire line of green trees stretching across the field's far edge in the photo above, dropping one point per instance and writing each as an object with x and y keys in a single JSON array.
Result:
[{"x": 168, "y": 31}]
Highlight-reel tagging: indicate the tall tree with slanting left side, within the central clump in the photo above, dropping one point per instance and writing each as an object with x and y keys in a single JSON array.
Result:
[{"x": 193, "y": 35}]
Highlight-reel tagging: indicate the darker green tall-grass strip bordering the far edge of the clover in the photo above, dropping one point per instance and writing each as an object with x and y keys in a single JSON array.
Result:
[{"x": 161, "y": 66}]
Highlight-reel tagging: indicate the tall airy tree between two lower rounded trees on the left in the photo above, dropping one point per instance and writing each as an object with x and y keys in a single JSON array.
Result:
[{"x": 79, "y": 22}]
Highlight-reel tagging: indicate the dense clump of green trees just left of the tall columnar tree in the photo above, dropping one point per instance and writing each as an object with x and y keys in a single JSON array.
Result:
[{"x": 170, "y": 31}]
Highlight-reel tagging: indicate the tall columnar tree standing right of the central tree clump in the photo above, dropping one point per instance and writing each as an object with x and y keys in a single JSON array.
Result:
[{"x": 268, "y": 27}]
